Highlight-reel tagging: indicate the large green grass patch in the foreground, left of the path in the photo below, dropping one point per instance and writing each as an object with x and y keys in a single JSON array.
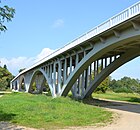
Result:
[{"x": 40, "y": 111}]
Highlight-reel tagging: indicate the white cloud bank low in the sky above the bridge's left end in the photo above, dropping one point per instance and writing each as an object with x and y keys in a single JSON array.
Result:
[{"x": 15, "y": 64}]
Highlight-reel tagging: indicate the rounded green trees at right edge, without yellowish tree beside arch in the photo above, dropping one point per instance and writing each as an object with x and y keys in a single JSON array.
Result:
[{"x": 126, "y": 84}]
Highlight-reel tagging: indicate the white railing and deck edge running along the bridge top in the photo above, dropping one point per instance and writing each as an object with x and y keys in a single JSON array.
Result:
[{"x": 115, "y": 20}]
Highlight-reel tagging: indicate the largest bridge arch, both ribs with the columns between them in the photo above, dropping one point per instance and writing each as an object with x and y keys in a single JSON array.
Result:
[{"x": 114, "y": 54}]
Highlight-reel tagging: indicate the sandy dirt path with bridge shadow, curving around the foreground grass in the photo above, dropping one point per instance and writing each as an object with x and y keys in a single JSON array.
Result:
[{"x": 129, "y": 117}]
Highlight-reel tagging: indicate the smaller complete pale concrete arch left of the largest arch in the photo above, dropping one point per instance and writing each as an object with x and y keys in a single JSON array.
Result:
[{"x": 44, "y": 75}]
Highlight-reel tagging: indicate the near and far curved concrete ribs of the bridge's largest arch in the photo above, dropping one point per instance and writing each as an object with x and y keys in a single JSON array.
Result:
[{"x": 126, "y": 42}]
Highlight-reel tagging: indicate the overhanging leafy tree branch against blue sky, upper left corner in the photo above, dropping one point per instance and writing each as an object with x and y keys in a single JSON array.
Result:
[{"x": 6, "y": 14}]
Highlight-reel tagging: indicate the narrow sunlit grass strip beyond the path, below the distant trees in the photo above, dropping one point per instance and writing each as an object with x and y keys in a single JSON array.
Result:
[{"x": 130, "y": 97}]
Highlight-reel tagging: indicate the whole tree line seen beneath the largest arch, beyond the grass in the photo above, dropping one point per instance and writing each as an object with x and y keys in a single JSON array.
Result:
[{"x": 123, "y": 85}]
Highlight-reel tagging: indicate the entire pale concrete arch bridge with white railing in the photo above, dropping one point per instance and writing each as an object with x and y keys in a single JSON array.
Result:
[{"x": 81, "y": 65}]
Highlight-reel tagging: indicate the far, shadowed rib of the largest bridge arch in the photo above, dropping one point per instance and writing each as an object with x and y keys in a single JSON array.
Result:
[{"x": 128, "y": 56}]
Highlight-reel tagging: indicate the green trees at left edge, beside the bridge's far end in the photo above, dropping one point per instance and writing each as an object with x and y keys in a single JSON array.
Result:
[{"x": 5, "y": 78}]
